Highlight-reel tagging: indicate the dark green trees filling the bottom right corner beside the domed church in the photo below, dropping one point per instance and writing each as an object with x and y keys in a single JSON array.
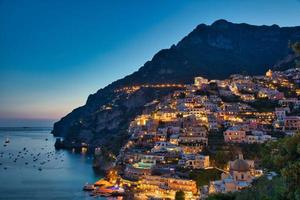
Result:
[{"x": 282, "y": 156}]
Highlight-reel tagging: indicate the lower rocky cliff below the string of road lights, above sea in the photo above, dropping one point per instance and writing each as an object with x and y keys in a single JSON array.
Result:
[{"x": 105, "y": 124}]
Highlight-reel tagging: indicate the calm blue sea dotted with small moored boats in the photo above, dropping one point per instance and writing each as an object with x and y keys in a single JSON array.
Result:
[{"x": 62, "y": 173}]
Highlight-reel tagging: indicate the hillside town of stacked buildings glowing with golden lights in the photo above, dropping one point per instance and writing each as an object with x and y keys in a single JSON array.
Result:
[{"x": 176, "y": 145}]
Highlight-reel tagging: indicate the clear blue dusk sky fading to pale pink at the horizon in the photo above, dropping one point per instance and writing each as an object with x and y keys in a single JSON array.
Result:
[{"x": 53, "y": 54}]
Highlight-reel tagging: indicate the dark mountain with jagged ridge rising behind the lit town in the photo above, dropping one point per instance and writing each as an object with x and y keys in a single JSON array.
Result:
[{"x": 212, "y": 51}]
